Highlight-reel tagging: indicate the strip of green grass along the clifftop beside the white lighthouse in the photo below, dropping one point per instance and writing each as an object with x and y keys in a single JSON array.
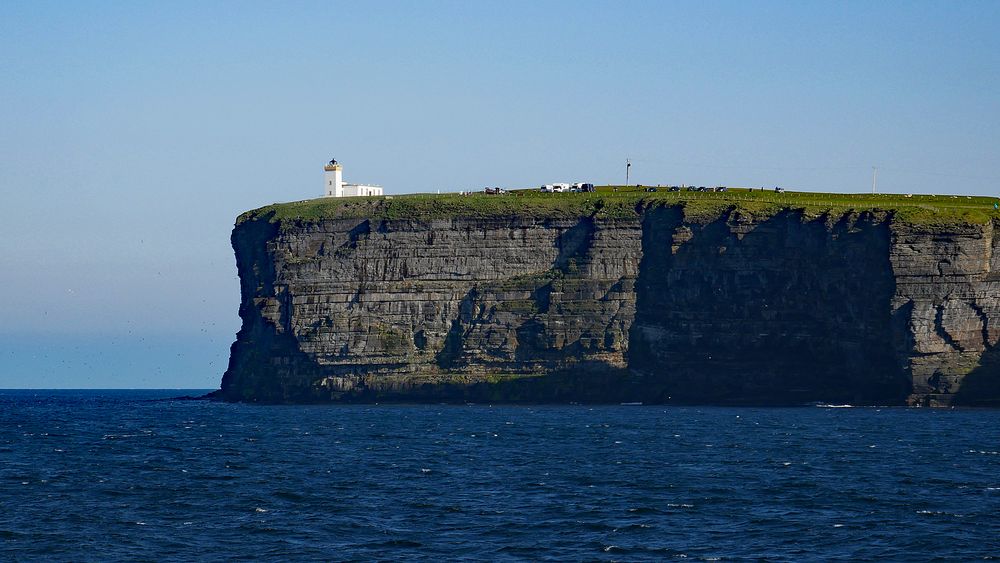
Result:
[{"x": 622, "y": 202}]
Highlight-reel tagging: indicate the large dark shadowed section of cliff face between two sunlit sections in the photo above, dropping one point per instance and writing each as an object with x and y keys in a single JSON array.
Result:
[{"x": 778, "y": 310}]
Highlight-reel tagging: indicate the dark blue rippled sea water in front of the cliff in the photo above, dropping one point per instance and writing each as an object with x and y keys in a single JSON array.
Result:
[{"x": 111, "y": 475}]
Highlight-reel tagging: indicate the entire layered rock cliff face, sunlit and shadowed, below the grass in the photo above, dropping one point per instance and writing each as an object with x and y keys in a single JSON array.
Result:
[{"x": 769, "y": 310}]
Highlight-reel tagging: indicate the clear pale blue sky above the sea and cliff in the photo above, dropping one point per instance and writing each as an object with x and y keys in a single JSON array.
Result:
[{"x": 133, "y": 133}]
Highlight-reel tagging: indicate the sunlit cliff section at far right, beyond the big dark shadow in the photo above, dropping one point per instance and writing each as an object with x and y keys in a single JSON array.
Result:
[{"x": 946, "y": 308}]
